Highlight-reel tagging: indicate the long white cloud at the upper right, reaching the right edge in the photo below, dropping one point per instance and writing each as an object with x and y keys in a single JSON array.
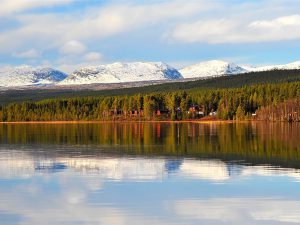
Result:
[{"x": 236, "y": 30}]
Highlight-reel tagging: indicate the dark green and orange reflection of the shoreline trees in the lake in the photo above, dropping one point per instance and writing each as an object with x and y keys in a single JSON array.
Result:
[{"x": 276, "y": 143}]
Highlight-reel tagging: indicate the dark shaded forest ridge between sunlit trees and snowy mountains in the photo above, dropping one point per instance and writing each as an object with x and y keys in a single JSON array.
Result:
[{"x": 236, "y": 81}]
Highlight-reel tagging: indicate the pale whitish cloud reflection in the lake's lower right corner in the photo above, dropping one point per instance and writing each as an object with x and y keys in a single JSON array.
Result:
[{"x": 240, "y": 210}]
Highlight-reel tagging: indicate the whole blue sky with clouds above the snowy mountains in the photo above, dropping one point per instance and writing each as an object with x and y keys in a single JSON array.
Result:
[{"x": 67, "y": 34}]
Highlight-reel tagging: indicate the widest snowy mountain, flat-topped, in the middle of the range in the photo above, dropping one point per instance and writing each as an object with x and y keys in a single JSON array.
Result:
[{"x": 122, "y": 72}]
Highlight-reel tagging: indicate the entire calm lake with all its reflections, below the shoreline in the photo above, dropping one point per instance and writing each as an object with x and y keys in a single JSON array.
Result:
[{"x": 150, "y": 173}]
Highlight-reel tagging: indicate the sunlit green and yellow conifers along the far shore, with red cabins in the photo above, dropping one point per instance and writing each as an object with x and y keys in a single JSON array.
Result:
[{"x": 235, "y": 103}]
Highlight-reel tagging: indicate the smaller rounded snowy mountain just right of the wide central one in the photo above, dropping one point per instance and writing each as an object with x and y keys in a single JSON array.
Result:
[{"x": 211, "y": 68}]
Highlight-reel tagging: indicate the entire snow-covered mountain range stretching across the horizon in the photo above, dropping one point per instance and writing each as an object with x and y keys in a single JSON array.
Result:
[{"x": 12, "y": 77}]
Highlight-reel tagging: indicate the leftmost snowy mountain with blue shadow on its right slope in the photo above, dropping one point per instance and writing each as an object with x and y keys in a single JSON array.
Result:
[{"x": 29, "y": 76}]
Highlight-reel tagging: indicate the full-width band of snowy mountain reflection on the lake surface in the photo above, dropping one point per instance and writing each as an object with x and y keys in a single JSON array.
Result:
[{"x": 125, "y": 168}]
